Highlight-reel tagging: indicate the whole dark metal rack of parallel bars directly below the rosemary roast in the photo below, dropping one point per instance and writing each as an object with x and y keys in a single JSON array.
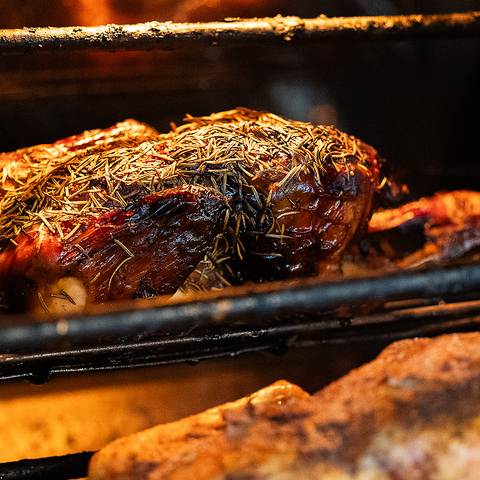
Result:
[{"x": 273, "y": 317}]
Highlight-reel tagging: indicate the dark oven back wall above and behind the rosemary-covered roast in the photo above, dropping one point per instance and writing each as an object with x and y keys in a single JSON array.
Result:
[{"x": 416, "y": 101}]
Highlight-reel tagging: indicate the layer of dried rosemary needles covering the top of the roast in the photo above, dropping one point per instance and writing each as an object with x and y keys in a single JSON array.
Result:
[{"x": 57, "y": 190}]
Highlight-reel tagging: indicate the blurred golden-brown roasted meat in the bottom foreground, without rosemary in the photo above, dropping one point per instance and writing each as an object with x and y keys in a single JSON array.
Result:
[{"x": 412, "y": 413}]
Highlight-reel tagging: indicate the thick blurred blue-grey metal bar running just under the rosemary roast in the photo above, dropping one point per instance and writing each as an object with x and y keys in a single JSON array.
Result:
[{"x": 250, "y": 309}]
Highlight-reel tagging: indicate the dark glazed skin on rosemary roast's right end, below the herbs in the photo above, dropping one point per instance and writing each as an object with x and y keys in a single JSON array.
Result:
[{"x": 314, "y": 224}]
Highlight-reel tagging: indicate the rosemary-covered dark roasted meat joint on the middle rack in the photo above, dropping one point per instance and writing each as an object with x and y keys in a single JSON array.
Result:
[{"x": 258, "y": 198}]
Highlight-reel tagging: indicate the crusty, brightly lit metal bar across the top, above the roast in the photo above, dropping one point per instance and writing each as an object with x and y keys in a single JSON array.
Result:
[{"x": 232, "y": 32}]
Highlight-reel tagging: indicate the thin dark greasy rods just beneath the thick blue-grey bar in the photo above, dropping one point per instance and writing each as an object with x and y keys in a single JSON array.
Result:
[{"x": 193, "y": 347}]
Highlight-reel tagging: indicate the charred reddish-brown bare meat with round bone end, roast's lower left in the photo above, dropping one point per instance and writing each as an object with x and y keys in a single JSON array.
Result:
[{"x": 146, "y": 249}]
